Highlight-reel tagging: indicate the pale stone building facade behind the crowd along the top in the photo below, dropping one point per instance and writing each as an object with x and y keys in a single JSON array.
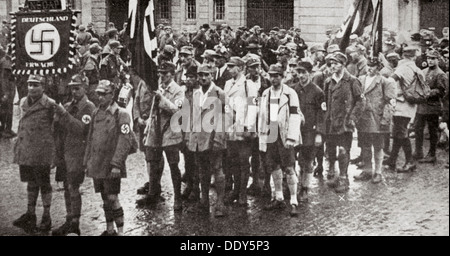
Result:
[{"x": 313, "y": 17}]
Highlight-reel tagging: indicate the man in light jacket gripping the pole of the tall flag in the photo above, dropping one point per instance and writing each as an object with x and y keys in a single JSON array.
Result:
[{"x": 161, "y": 136}]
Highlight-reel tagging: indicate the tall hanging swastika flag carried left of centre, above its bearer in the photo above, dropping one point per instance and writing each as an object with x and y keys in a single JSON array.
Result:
[{"x": 143, "y": 44}]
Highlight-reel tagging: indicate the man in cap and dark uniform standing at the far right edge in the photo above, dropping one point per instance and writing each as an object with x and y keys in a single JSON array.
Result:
[{"x": 430, "y": 111}]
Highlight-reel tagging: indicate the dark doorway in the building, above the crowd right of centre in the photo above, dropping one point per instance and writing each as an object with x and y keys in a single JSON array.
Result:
[{"x": 270, "y": 13}]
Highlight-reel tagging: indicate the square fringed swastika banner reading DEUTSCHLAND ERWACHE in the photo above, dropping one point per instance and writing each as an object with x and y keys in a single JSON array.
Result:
[{"x": 43, "y": 42}]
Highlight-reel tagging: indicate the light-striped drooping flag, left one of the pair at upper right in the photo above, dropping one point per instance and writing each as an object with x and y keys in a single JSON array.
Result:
[{"x": 360, "y": 15}]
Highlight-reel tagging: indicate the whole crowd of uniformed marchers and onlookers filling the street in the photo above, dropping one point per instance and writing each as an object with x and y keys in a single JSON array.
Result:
[{"x": 249, "y": 103}]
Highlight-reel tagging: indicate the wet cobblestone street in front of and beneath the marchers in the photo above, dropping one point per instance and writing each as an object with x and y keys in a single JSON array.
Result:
[{"x": 414, "y": 203}]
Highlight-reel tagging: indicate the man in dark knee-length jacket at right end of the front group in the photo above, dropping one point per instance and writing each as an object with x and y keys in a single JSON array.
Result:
[{"x": 343, "y": 98}]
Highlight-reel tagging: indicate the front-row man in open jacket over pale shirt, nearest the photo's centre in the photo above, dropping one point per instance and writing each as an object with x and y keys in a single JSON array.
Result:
[{"x": 208, "y": 143}]
